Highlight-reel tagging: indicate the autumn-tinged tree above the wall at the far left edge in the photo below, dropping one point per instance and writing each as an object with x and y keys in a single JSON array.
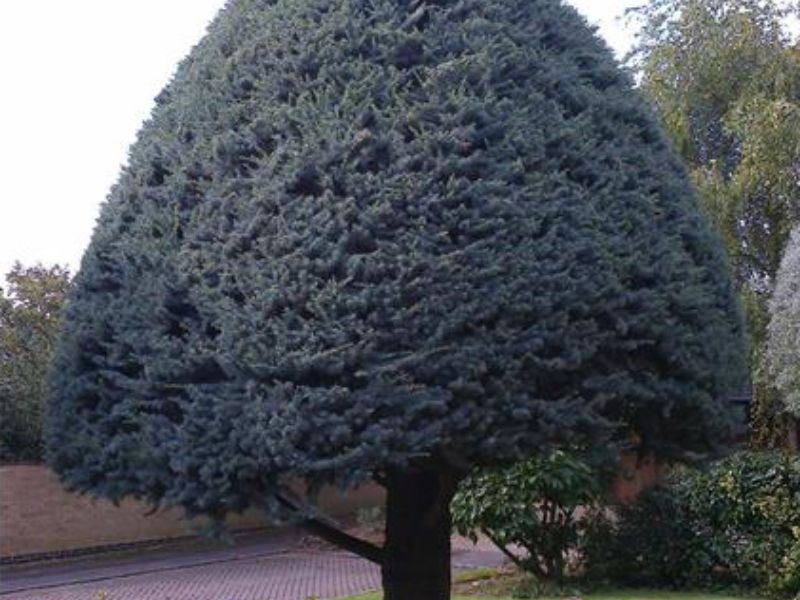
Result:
[{"x": 30, "y": 317}]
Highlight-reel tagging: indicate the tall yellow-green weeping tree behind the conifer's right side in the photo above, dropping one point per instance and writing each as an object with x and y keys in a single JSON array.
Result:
[{"x": 725, "y": 78}]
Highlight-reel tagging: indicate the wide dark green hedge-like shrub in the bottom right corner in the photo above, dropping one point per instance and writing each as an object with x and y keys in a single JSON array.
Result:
[{"x": 734, "y": 523}]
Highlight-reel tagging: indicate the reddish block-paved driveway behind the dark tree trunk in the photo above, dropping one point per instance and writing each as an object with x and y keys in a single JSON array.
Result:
[{"x": 275, "y": 567}]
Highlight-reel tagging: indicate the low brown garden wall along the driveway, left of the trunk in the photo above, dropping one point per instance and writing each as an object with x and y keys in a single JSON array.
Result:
[{"x": 38, "y": 516}]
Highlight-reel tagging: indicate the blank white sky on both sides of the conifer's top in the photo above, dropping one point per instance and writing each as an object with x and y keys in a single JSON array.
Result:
[{"x": 79, "y": 77}]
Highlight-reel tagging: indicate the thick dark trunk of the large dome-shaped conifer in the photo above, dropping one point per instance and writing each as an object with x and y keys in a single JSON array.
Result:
[{"x": 418, "y": 524}]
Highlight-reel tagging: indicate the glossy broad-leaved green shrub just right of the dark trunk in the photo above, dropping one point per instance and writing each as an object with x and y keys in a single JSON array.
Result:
[{"x": 534, "y": 506}]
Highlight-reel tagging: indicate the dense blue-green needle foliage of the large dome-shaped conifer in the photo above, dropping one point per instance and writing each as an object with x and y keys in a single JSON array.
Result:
[{"x": 361, "y": 234}]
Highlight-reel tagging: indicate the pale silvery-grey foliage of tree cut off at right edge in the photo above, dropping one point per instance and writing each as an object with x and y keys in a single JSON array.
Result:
[{"x": 784, "y": 327}]
